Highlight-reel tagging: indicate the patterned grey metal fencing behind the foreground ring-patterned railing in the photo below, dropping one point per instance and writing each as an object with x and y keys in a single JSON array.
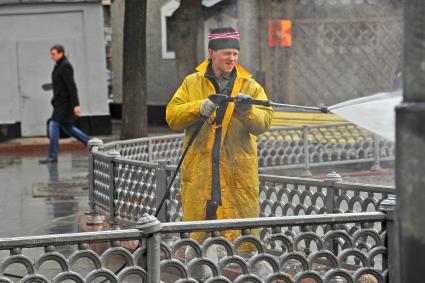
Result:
[{"x": 127, "y": 180}]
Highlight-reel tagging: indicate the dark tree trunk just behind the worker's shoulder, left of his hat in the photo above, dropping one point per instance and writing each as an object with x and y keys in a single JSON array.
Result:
[{"x": 185, "y": 22}]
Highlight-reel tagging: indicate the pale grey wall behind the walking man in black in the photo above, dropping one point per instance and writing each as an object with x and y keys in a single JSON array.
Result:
[{"x": 25, "y": 62}]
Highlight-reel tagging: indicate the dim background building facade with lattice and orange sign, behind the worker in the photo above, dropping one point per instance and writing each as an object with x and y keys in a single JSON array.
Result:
[{"x": 308, "y": 52}]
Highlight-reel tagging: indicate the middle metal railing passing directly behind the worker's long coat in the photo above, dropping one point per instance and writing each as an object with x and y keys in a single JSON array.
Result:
[{"x": 287, "y": 196}]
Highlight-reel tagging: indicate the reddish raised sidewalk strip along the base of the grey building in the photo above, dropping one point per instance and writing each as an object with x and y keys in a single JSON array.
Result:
[{"x": 41, "y": 144}]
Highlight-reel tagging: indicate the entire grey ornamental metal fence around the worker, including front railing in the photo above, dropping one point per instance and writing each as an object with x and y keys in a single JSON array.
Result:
[{"x": 320, "y": 230}]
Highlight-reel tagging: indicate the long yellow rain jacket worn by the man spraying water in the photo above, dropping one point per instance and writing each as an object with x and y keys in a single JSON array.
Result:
[{"x": 239, "y": 182}]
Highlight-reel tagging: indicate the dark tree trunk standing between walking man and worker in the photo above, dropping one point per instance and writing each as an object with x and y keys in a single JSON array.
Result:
[{"x": 134, "y": 104}]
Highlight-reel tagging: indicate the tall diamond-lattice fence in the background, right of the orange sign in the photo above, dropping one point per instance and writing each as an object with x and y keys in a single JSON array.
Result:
[{"x": 341, "y": 49}]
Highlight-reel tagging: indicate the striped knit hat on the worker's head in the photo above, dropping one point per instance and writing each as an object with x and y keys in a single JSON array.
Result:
[{"x": 223, "y": 38}]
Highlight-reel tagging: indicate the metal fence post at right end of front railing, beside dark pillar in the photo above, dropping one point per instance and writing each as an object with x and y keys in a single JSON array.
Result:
[{"x": 388, "y": 206}]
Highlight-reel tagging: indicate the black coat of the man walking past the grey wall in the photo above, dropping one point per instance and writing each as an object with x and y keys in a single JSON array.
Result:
[{"x": 65, "y": 96}]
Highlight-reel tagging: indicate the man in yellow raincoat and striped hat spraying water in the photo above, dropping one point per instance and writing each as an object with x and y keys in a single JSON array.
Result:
[{"x": 220, "y": 171}]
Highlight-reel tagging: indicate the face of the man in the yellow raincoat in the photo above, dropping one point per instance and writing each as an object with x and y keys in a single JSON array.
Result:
[{"x": 223, "y": 60}]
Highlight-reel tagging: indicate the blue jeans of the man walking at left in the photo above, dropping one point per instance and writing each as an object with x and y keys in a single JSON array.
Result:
[{"x": 70, "y": 129}]
